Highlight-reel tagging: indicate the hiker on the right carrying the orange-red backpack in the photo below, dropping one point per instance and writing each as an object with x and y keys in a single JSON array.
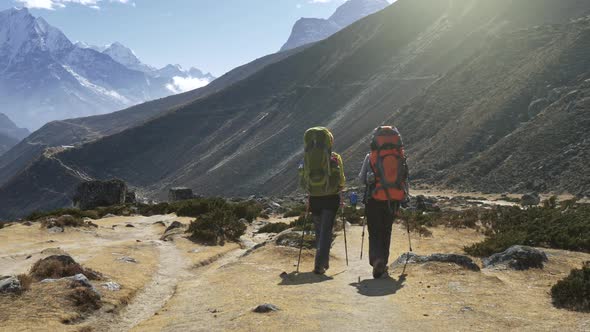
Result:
[{"x": 385, "y": 175}]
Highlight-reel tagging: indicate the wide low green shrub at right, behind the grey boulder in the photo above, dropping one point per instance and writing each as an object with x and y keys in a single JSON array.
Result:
[{"x": 564, "y": 226}]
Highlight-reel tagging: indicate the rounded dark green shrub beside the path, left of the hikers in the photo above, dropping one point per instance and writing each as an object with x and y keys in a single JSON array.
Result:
[{"x": 217, "y": 227}]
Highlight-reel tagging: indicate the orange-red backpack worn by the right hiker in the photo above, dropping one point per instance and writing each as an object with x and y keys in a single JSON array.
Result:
[{"x": 388, "y": 162}]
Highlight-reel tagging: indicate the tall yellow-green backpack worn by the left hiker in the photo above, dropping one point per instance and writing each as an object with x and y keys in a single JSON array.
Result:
[{"x": 320, "y": 175}]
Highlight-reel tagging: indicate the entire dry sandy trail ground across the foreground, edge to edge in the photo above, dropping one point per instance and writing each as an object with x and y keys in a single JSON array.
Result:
[{"x": 181, "y": 286}]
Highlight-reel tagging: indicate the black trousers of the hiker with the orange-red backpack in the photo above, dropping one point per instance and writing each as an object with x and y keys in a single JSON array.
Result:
[{"x": 380, "y": 219}]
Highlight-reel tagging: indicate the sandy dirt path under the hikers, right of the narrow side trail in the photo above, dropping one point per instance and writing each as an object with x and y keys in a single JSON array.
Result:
[{"x": 431, "y": 297}]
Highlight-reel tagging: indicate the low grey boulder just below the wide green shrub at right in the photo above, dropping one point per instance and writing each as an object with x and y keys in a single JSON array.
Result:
[{"x": 517, "y": 258}]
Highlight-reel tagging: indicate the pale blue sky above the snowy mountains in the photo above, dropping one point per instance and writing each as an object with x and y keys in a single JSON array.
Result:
[{"x": 212, "y": 35}]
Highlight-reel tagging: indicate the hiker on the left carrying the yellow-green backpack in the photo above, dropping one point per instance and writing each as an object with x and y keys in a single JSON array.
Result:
[{"x": 322, "y": 176}]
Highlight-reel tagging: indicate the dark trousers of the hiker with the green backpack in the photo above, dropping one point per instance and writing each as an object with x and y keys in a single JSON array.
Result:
[{"x": 324, "y": 210}]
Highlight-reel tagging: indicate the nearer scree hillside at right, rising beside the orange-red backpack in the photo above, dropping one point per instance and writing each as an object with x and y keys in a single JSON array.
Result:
[{"x": 512, "y": 118}]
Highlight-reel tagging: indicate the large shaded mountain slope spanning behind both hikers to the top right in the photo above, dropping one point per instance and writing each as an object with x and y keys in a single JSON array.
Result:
[{"x": 355, "y": 80}]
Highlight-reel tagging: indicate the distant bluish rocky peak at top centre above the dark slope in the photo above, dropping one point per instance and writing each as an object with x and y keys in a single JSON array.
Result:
[{"x": 311, "y": 30}]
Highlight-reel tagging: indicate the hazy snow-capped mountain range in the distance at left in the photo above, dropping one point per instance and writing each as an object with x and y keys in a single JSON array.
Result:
[{"x": 46, "y": 77}]
